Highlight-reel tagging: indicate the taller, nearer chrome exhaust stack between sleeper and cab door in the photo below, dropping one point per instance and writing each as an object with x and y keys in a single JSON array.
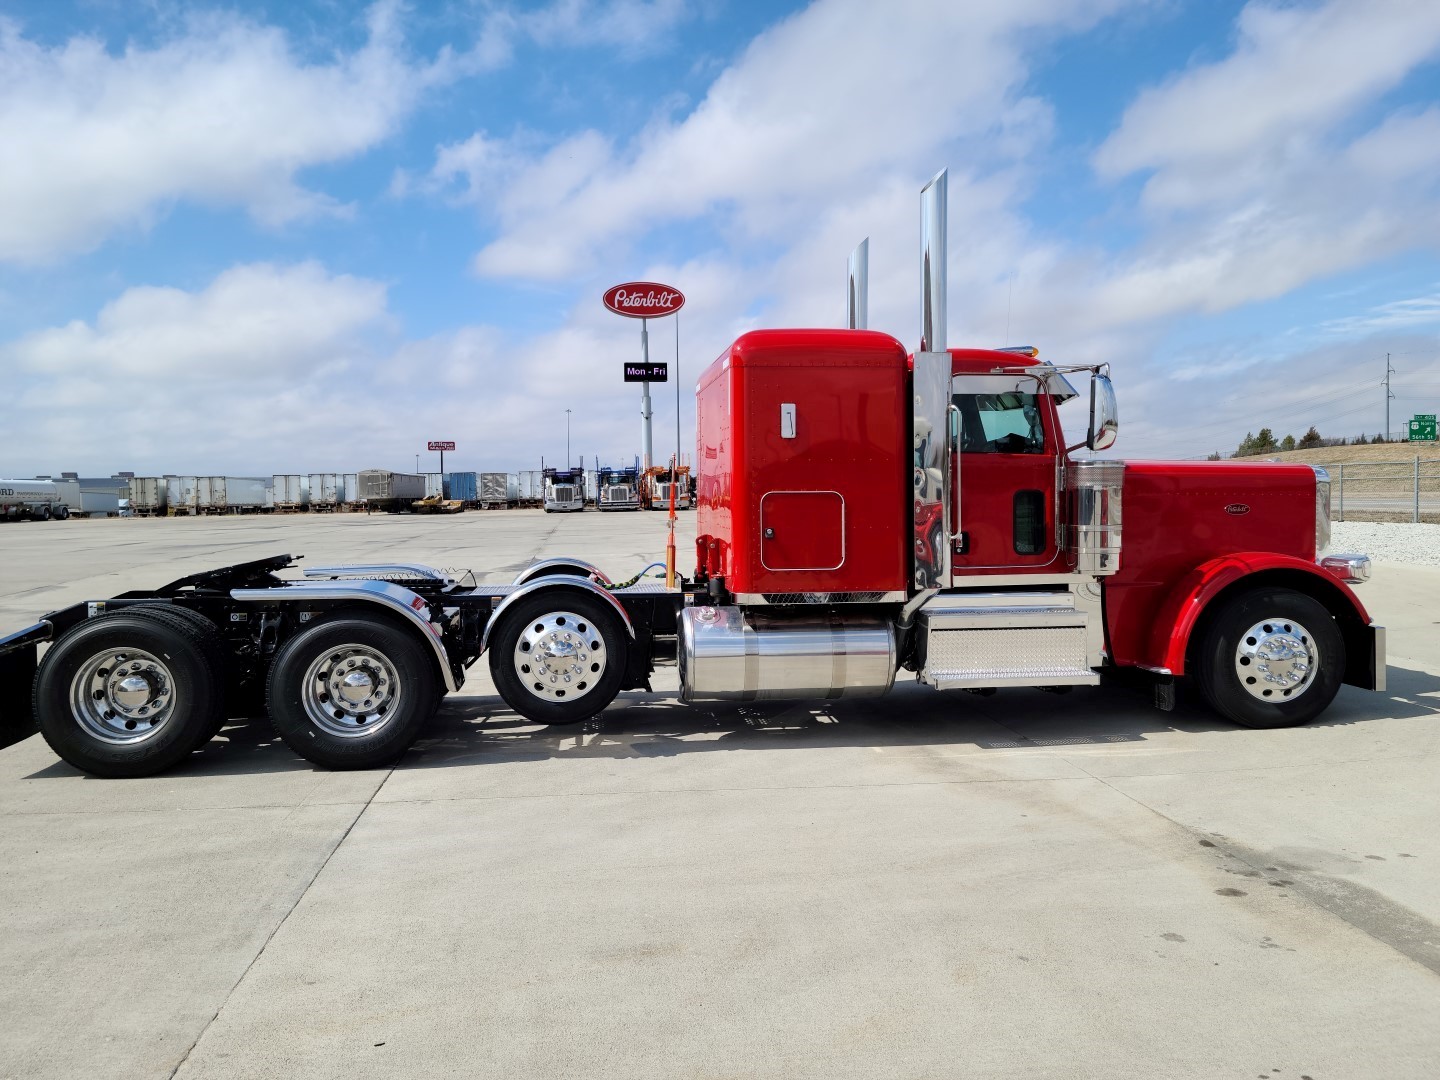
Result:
[{"x": 931, "y": 546}]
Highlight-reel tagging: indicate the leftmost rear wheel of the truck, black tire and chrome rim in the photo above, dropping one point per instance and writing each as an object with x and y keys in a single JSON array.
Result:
[{"x": 78, "y": 686}]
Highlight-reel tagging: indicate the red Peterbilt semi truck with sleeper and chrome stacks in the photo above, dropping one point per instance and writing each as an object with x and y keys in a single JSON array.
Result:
[{"x": 944, "y": 526}]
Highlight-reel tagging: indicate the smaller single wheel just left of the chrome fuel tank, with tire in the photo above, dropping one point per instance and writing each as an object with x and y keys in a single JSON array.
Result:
[{"x": 549, "y": 613}]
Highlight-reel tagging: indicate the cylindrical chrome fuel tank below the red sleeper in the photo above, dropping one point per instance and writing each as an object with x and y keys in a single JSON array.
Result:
[{"x": 754, "y": 656}]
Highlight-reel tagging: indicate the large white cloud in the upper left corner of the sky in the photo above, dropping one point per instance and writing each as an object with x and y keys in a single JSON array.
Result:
[{"x": 222, "y": 114}]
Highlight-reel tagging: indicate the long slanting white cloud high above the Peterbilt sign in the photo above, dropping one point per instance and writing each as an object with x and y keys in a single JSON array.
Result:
[{"x": 796, "y": 122}]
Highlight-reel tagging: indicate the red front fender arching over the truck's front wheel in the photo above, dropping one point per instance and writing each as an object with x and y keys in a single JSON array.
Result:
[{"x": 1193, "y": 595}]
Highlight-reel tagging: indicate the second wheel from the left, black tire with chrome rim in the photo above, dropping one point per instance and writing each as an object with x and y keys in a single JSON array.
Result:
[{"x": 368, "y": 732}]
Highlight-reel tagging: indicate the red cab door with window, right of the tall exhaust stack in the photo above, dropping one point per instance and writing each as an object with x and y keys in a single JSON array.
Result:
[{"x": 1004, "y": 476}]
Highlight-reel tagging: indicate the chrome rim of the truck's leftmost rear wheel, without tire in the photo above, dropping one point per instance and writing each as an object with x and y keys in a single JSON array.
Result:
[{"x": 123, "y": 696}]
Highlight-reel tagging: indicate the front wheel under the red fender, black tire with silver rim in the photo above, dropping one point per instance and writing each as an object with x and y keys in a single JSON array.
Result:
[{"x": 1271, "y": 659}]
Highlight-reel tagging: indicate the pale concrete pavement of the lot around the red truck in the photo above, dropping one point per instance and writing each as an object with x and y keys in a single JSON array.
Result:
[{"x": 915, "y": 886}]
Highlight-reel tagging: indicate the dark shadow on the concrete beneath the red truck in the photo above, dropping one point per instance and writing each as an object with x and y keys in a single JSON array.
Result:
[{"x": 643, "y": 725}]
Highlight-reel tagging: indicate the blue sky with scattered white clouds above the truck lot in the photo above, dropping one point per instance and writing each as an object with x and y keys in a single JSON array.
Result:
[{"x": 312, "y": 235}]
